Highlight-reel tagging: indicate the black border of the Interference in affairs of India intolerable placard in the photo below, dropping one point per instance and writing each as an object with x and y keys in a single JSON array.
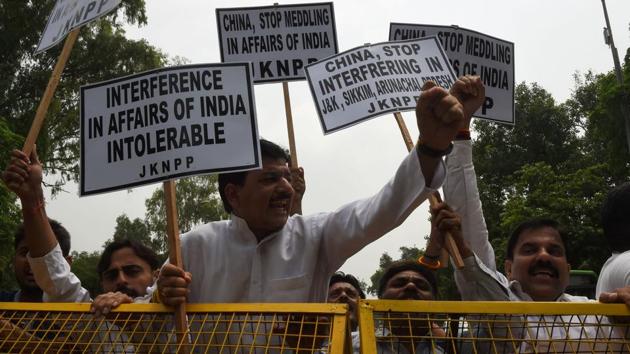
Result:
[{"x": 254, "y": 129}]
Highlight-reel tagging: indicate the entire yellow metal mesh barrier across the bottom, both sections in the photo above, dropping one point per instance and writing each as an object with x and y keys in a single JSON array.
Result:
[{"x": 385, "y": 327}]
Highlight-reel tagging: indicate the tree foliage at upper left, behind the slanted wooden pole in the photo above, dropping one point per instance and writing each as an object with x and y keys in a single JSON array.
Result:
[{"x": 101, "y": 52}]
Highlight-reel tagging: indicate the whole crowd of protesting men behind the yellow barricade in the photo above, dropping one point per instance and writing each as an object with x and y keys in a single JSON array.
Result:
[{"x": 268, "y": 252}]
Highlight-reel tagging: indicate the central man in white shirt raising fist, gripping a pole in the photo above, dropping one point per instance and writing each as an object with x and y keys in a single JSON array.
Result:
[{"x": 263, "y": 255}]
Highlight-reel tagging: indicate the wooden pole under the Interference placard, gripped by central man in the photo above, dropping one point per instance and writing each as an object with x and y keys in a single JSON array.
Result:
[{"x": 175, "y": 254}]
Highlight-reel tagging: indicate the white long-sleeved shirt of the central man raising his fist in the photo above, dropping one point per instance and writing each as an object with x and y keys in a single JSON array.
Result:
[{"x": 294, "y": 264}]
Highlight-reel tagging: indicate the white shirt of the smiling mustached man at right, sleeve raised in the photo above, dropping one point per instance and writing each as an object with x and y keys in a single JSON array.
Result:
[{"x": 480, "y": 280}]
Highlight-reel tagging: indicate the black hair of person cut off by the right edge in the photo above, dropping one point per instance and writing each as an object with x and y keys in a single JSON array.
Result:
[{"x": 616, "y": 218}]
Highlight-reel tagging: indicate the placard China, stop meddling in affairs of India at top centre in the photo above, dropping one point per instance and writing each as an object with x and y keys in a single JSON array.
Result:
[{"x": 279, "y": 40}]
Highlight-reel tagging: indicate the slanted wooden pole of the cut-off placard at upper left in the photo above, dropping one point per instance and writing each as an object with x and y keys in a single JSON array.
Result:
[{"x": 42, "y": 109}]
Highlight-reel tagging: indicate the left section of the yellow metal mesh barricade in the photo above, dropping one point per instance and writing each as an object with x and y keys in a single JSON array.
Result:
[{"x": 148, "y": 328}]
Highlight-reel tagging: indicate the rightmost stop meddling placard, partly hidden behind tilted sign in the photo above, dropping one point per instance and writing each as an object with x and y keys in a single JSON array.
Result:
[{"x": 473, "y": 53}]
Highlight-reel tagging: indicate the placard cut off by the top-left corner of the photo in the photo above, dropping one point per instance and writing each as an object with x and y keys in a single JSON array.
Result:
[{"x": 70, "y": 14}]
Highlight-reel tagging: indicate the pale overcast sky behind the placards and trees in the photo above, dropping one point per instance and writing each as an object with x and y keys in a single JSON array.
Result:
[{"x": 553, "y": 40}]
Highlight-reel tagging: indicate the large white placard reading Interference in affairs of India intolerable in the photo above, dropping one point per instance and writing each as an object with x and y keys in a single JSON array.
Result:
[{"x": 167, "y": 123}]
